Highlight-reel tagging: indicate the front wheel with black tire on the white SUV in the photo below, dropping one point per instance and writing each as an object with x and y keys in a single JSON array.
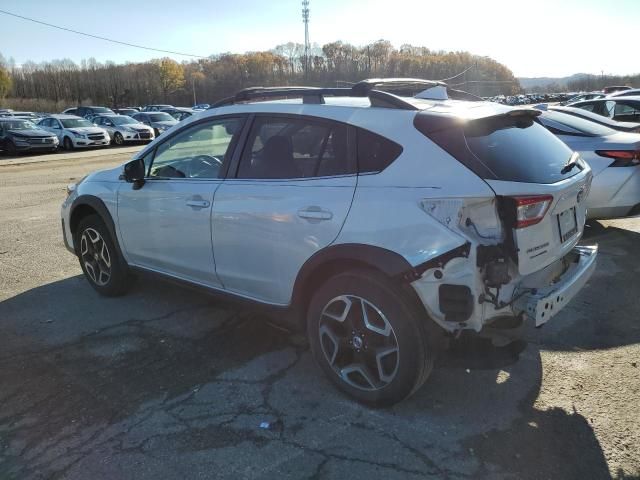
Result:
[{"x": 119, "y": 279}]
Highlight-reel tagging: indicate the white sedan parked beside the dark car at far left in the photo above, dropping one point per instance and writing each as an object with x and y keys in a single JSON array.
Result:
[{"x": 75, "y": 132}]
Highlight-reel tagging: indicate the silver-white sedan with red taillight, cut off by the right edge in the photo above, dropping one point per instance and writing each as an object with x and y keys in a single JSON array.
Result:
[{"x": 614, "y": 158}]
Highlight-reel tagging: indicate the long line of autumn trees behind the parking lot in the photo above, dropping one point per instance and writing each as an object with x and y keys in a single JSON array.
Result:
[{"x": 64, "y": 82}]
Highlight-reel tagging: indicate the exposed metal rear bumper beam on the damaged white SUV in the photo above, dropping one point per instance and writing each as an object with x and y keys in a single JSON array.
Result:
[{"x": 546, "y": 302}]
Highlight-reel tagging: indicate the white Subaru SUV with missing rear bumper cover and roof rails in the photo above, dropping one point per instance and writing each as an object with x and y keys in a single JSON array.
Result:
[{"x": 380, "y": 222}]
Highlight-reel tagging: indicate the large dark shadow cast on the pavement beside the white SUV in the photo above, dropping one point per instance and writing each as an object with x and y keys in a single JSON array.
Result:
[{"x": 169, "y": 376}]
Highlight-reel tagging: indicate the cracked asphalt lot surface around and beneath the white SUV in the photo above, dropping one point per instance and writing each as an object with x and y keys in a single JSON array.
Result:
[{"x": 170, "y": 383}]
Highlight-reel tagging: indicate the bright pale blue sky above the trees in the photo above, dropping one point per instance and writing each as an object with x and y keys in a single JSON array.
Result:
[{"x": 533, "y": 38}]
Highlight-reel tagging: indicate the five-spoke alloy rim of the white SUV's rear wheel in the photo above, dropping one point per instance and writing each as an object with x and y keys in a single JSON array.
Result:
[{"x": 359, "y": 342}]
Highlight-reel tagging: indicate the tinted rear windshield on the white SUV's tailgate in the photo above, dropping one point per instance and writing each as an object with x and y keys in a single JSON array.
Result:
[{"x": 518, "y": 149}]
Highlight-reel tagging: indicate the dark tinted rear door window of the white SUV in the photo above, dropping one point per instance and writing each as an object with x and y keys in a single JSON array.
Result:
[{"x": 295, "y": 148}]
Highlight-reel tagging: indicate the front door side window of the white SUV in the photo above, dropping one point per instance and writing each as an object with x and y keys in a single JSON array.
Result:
[{"x": 198, "y": 152}]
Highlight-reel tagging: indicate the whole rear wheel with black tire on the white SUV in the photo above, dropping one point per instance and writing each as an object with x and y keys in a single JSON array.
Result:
[{"x": 415, "y": 335}]
